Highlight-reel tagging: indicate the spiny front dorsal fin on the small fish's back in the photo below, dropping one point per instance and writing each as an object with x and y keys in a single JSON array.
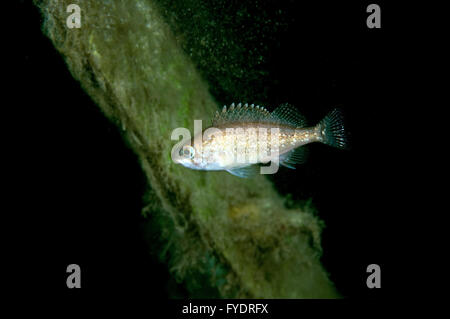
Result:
[{"x": 240, "y": 113}]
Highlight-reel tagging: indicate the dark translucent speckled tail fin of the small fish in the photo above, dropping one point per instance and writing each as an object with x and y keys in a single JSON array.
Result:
[{"x": 332, "y": 130}]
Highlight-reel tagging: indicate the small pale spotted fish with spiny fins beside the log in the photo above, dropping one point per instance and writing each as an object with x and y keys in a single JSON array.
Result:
[{"x": 242, "y": 136}]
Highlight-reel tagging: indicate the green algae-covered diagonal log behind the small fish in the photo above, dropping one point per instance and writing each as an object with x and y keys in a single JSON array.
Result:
[{"x": 221, "y": 236}]
